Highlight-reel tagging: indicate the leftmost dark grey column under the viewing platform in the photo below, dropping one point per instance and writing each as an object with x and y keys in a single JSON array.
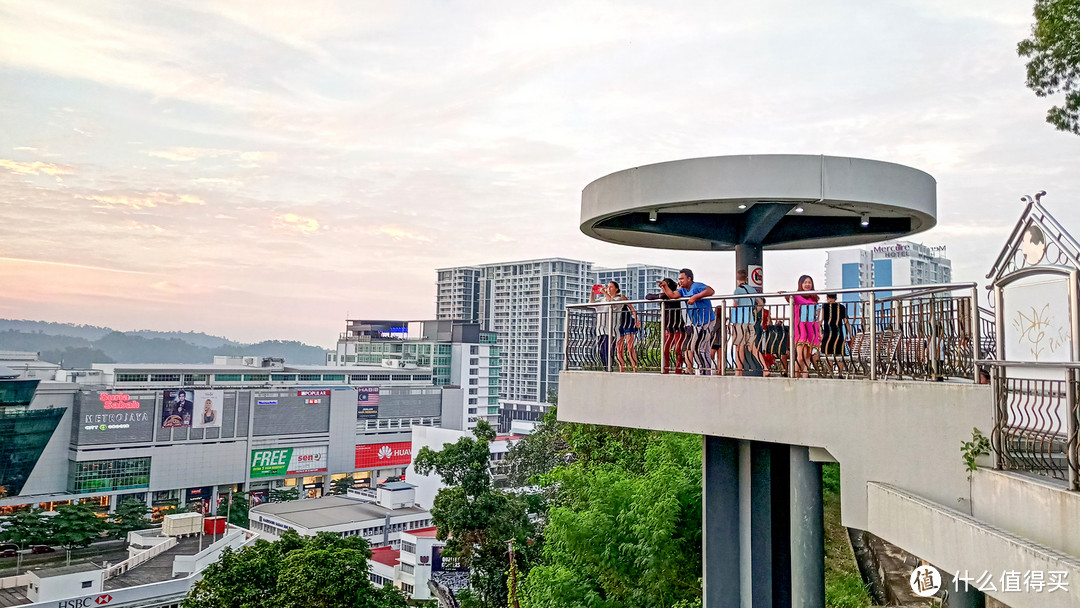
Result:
[{"x": 721, "y": 578}]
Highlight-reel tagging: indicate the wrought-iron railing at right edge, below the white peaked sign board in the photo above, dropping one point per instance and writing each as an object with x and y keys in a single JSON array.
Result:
[{"x": 1036, "y": 417}]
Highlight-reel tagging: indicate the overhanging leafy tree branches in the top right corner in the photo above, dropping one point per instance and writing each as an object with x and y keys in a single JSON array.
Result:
[{"x": 1054, "y": 56}]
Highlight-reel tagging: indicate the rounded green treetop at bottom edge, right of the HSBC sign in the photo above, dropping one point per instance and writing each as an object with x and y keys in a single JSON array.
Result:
[{"x": 296, "y": 572}]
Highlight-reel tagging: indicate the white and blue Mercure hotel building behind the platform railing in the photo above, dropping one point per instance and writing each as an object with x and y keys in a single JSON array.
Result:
[{"x": 894, "y": 263}]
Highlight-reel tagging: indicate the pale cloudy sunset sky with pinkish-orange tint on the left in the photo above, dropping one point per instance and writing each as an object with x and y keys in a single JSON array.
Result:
[{"x": 266, "y": 171}]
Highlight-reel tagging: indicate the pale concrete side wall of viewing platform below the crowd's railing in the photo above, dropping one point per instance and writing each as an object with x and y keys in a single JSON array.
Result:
[{"x": 906, "y": 434}]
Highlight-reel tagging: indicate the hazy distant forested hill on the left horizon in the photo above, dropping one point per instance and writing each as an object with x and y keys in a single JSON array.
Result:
[{"x": 80, "y": 346}]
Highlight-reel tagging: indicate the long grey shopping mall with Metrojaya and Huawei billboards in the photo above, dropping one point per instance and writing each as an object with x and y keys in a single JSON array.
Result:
[{"x": 178, "y": 435}]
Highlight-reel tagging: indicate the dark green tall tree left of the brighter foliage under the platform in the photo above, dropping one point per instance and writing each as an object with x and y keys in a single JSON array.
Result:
[{"x": 478, "y": 520}]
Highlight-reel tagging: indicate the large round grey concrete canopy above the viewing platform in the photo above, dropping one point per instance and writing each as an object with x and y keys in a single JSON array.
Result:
[{"x": 719, "y": 202}]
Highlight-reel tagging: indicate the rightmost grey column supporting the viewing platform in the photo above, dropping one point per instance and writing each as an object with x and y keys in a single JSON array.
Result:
[{"x": 808, "y": 531}]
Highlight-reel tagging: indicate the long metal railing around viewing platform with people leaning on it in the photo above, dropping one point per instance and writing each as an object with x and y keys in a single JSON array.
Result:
[{"x": 922, "y": 332}]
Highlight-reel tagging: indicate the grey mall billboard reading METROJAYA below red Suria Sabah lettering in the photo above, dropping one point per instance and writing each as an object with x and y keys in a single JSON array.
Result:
[{"x": 114, "y": 417}]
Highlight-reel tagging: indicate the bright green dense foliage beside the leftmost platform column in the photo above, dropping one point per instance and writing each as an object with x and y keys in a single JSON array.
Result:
[{"x": 625, "y": 531}]
